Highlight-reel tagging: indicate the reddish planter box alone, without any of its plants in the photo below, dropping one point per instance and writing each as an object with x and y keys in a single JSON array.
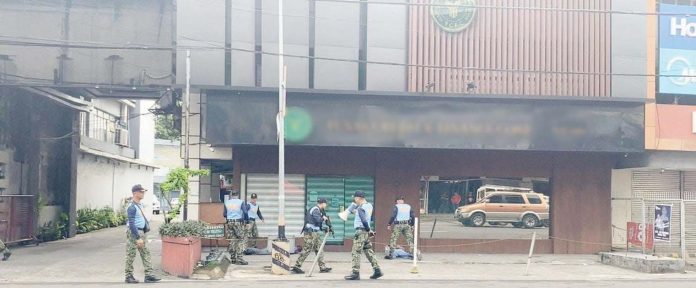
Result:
[{"x": 180, "y": 255}]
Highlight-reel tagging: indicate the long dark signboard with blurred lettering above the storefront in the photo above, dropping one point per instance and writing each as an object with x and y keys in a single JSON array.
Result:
[{"x": 426, "y": 122}]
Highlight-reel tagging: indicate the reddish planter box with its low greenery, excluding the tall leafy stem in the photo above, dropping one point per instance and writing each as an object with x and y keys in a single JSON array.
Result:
[{"x": 181, "y": 246}]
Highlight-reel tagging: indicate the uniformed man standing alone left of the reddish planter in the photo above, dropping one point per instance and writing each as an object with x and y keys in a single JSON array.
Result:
[{"x": 138, "y": 226}]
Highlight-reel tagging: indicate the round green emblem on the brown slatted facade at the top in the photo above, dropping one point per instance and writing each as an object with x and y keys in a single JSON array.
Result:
[{"x": 454, "y": 15}]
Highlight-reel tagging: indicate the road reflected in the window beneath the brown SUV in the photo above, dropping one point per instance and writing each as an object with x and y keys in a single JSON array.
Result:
[{"x": 449, "y": 228}]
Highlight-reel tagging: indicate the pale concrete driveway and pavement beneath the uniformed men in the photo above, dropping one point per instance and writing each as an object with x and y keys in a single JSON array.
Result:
[{"x": 98, "y": 257}]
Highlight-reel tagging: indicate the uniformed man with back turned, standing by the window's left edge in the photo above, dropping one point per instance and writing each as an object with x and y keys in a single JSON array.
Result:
[{"x": 401, "y": 222}]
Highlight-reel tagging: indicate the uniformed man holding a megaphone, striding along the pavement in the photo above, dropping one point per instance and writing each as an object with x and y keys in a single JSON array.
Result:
[{"x": 361, "y": 241}]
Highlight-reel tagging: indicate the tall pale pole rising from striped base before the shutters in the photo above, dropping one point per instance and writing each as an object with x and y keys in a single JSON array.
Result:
[{"x": 281, "y": 127}]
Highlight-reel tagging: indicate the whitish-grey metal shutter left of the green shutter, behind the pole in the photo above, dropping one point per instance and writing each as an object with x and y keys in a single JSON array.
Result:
[{"x": 266, "y": 187}]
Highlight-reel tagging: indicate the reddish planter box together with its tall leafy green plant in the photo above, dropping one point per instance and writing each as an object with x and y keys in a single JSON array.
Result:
[{"x": 181, "y": 241}]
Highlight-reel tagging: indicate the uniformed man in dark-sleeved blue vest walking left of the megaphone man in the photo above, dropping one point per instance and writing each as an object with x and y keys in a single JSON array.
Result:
[{"x": 314, "y": 221}]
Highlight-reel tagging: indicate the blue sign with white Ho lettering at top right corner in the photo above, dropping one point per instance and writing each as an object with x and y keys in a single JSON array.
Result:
[{"x": 677, "y": 49}]
